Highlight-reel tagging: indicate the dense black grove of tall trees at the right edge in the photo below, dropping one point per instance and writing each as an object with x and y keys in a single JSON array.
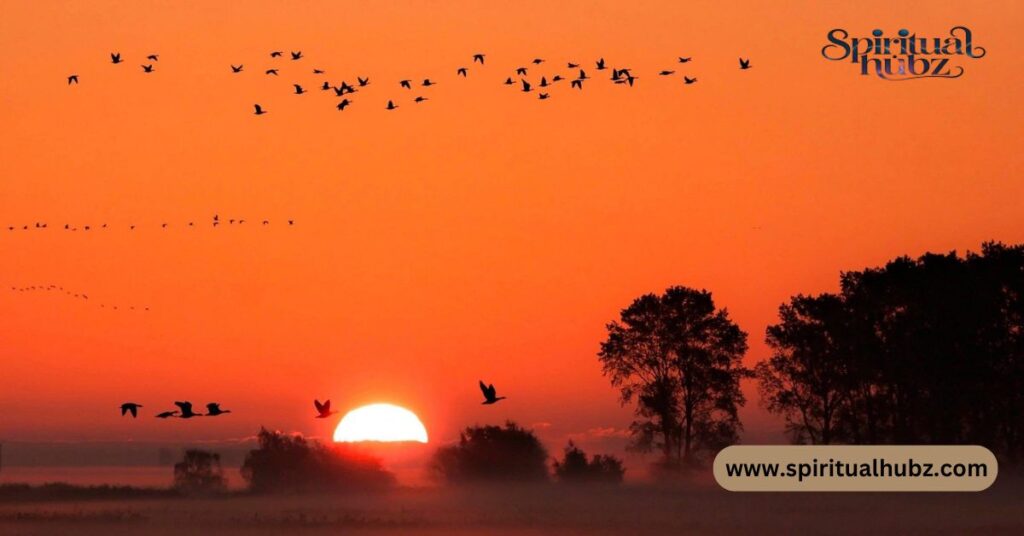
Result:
[{"x": 921, "y": 351}]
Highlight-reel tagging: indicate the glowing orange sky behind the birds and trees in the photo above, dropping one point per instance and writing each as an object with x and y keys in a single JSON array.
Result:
[{"x": 481, "y": 235}]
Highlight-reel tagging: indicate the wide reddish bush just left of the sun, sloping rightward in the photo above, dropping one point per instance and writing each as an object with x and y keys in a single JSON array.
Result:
[{"x": 291, "y": 464}]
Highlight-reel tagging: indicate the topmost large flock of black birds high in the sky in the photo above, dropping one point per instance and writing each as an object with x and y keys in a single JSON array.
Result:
[{"x": 346, "y": 92}]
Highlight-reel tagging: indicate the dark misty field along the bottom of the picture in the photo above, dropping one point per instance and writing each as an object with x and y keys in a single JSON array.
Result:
[{"x": 549, "y": 510}]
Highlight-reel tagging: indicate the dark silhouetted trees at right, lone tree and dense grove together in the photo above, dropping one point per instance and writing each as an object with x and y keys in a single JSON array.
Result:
[{"x": 926, "y": 351}]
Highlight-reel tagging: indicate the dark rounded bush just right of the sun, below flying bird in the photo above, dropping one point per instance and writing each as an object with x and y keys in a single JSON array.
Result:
[{"x": 493, "y": 453}]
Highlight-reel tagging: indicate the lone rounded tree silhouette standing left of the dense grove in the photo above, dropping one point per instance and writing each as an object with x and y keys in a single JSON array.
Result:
[{"x": 679, "y": 358}]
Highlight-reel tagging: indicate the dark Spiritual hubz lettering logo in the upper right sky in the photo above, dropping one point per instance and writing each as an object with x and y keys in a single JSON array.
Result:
[{"x": 907, "y": 57}]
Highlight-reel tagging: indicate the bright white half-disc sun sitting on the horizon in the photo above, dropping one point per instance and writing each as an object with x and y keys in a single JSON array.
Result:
[{"x": 380, "y": 423}]
